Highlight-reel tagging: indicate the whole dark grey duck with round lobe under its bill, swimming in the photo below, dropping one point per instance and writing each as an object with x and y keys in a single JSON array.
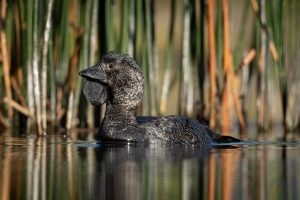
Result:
[{"x": 118, "y": 81}]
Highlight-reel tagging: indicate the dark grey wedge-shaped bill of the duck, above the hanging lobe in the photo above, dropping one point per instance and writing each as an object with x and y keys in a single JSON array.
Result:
[{"x": 94, "y": 73}]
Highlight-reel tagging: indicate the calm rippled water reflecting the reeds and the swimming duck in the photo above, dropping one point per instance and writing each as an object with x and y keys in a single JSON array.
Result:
[{"x": 60, "y": 168}]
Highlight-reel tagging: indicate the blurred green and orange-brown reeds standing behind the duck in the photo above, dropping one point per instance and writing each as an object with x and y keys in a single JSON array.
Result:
[{"x": 227, "y": 63}]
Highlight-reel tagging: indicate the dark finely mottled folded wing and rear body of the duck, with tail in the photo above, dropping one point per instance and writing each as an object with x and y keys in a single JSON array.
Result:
[{"x": 179, "y": 129}]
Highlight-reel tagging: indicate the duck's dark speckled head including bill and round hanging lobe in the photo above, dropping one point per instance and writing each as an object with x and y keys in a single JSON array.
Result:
[{"x": 117, "y": 79}]
